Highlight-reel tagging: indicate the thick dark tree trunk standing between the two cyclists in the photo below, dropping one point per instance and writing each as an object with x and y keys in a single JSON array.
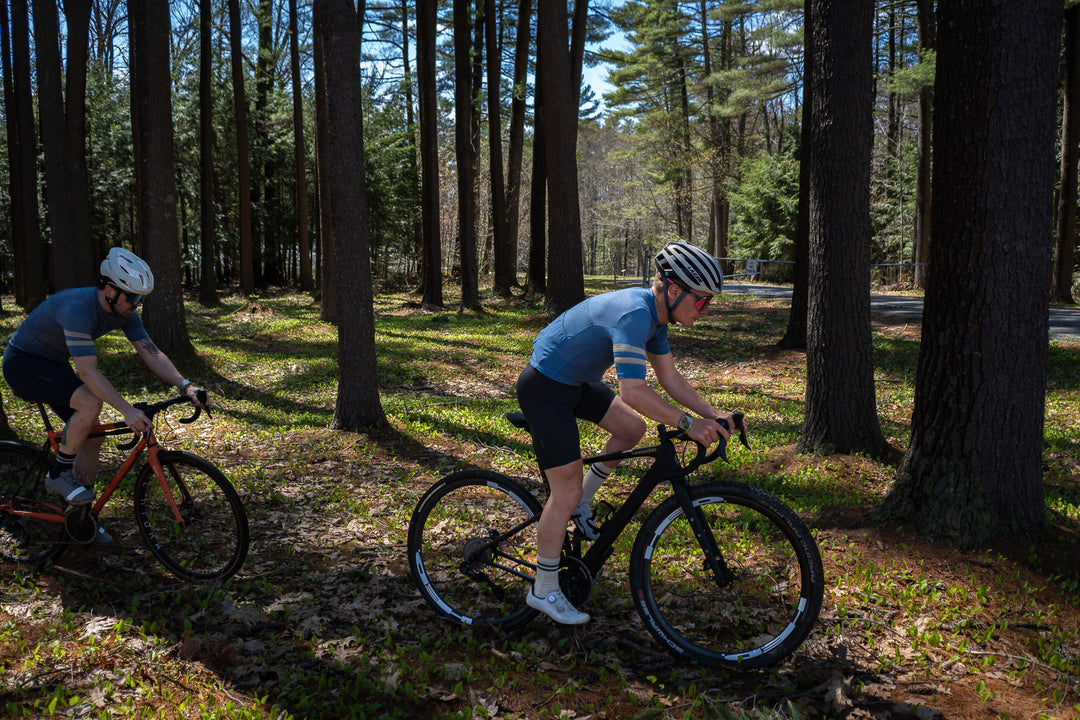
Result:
[{"x": 339, "y": 24}]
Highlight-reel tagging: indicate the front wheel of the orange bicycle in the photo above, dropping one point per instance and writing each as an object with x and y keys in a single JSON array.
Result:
[{"x": 209, "y": 540}]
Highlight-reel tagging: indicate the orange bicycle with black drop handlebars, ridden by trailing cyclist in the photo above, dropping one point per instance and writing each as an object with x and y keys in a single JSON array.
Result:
[{"x": 190, "y": 515}]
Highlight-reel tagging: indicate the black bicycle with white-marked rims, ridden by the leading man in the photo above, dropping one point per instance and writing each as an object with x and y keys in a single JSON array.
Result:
[{"x": 722, "y": 574}]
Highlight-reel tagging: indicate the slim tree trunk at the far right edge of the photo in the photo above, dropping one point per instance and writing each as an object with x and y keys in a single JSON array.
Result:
[{"x": 1065, "y": 236}]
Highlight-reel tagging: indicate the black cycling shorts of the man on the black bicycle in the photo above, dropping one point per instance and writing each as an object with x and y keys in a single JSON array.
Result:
[{"x": 553, "y": 409}]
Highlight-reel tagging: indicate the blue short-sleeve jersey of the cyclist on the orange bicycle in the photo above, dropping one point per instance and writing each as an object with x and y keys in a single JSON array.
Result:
[{"x": 67, "y": 323}]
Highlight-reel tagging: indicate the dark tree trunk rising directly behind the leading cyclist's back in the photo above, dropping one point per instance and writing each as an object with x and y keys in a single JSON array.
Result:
[{"x": 561, "y": 91}]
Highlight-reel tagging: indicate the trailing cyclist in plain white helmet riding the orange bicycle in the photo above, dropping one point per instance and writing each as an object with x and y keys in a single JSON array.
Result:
[{"x": 37, "y": 368}]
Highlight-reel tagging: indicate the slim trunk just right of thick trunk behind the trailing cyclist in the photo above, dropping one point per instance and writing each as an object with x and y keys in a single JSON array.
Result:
[{"x": 208, "y": 265}]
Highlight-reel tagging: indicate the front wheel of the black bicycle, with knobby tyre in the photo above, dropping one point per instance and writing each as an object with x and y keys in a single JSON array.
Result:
[{"x": 753, "y": 619}]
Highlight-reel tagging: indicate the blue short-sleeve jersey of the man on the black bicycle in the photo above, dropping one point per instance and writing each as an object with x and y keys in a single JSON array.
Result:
[{"x": 613, "y": 329}]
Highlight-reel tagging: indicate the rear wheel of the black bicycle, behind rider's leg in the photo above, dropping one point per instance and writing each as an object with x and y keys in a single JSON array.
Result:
[{"x": 458, "y": 556}]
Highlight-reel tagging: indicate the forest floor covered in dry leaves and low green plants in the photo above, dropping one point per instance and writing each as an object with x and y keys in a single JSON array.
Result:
[{"x": 325, "y": 622}]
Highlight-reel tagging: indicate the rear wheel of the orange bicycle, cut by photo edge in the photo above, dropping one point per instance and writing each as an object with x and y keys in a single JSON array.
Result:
[{"x": 23, "y": 484}]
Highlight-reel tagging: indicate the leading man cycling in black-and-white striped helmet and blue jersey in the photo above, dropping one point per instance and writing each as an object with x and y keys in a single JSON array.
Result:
[{"x": 564, "y": 382}]
